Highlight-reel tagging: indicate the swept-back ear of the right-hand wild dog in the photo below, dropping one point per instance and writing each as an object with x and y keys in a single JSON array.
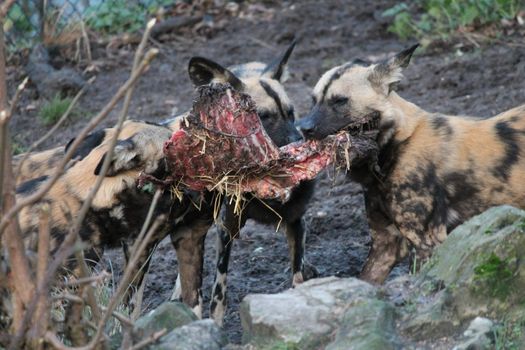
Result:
[{"x": 387, "y": 74}]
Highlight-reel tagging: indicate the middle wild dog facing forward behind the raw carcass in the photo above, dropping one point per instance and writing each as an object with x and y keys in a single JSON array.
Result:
[{"x": 263, "y": 83}]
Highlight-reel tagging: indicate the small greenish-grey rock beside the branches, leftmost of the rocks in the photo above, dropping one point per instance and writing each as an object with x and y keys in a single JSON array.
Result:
[{"x": 168, "y": 315}]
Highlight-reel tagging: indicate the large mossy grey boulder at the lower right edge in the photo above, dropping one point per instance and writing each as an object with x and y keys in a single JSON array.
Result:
[{"x": 478, "y": 271}]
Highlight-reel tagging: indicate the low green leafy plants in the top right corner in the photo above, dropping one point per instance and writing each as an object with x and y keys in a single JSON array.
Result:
[{"x": 439, "y": 18}]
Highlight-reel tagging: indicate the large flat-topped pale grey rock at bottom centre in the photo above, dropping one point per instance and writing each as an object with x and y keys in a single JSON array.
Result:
[{"x": 308, "y": 316}]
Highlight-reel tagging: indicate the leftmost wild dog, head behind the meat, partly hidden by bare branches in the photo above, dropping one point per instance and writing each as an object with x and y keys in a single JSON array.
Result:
[{"x": 119, "y": 208}]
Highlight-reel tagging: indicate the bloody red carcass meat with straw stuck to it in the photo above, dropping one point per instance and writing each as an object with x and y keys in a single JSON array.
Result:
[{"x": 223, "y": 146}]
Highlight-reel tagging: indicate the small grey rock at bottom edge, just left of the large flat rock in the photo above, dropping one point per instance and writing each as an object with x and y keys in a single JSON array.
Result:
[{"x": 198, "y": 335}]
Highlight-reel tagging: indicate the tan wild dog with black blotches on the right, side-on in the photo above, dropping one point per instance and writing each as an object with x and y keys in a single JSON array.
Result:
[{"x": 435, "y": 170}]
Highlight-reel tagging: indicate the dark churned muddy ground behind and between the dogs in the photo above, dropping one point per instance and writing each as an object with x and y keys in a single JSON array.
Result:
[{"x": 455, "y": 79}]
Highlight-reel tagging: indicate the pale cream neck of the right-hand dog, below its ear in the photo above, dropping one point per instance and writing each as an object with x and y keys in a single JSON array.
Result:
[{"x": 399, "y": 119}]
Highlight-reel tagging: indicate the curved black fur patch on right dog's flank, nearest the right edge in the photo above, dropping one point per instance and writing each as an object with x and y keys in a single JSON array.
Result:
[{"x": 509, "y": 136}]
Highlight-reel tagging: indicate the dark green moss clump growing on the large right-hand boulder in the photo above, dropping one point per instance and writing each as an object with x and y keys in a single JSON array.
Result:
[{"x": 496, "y": 274}]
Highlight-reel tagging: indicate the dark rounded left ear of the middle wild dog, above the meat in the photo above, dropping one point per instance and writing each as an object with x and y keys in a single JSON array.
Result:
[{"x": 204, "y": 71}]
